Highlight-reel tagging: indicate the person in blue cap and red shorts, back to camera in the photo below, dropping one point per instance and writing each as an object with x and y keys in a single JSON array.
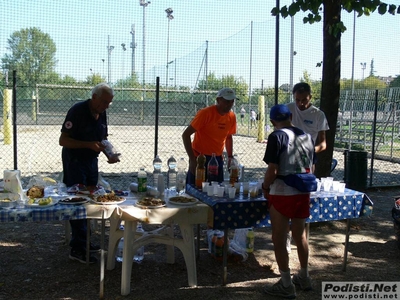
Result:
[{"x": 288, "y": 149}]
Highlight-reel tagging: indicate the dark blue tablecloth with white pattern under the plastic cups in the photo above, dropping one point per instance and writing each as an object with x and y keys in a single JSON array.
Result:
[{"x": 243, "y": 212}]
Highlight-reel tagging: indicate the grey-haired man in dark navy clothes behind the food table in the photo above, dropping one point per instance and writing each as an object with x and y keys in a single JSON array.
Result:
[{"x": 84, "y": 128}]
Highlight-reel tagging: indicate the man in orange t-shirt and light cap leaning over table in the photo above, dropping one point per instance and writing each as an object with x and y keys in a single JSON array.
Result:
[{"x": 213, "y": 128}]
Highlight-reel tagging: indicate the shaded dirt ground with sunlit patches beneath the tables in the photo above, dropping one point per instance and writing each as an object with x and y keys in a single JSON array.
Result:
[{"x": 34, "y": 262}]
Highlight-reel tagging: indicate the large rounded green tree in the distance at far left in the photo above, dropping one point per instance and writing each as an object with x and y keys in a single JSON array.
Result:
[{"x": 32, "y": 55}]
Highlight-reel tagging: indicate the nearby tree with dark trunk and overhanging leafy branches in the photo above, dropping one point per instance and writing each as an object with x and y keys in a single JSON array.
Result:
[{"x": 332, "y": 29}]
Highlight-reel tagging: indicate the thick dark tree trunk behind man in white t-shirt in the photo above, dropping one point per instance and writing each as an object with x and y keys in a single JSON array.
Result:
[{"x": 330, "y": 91}]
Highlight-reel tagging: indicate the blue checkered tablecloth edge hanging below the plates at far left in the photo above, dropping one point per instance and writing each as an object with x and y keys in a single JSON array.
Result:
[{"x": 58, "y": 212}]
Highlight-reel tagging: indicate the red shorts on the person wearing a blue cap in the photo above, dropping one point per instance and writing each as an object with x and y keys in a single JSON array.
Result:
[{"x": 293, "y": 206}]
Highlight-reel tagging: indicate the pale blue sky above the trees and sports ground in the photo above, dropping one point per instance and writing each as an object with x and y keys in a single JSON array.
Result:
[{"x": 240, "y": 35}]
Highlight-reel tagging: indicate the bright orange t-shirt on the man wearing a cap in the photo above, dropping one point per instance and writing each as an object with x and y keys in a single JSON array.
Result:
[{"x": 212, "y": 130}]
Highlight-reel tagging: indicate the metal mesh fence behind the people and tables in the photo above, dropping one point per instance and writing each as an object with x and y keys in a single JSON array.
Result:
[{"x": 132, "y": 130}]
